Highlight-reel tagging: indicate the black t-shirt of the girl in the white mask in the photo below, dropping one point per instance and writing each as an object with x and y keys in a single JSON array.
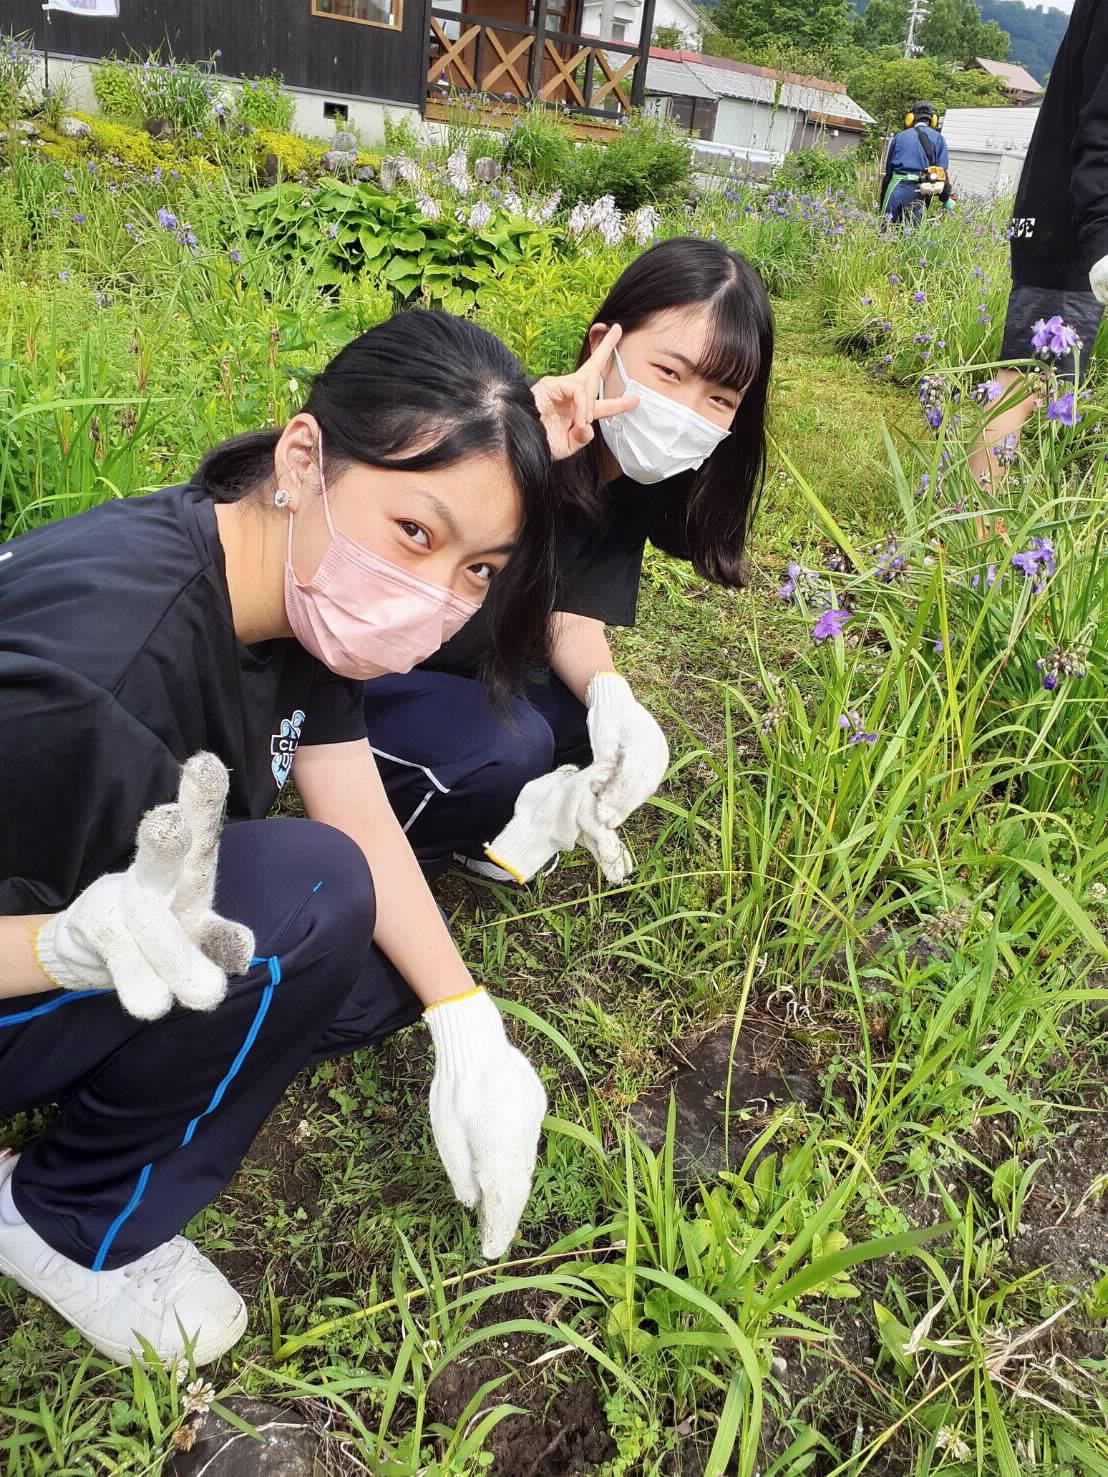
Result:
[{"x": 601, "y": 562}]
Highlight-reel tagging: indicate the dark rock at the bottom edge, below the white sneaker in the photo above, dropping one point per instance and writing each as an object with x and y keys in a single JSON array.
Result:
[{"x": 289, "y": 1447}]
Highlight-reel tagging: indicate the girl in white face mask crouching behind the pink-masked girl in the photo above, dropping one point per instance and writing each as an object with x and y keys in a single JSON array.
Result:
[{"x": 680, "y": 469}]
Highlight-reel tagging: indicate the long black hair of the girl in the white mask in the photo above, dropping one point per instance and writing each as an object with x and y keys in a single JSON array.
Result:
[{"x": 704, "y": 516}]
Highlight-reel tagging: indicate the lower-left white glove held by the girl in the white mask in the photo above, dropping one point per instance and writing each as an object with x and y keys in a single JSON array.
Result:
[{"x": 558, "y": 813}]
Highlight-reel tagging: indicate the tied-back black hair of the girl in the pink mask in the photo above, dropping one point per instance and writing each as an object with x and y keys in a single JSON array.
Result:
[{"x": 425, "y": 379}]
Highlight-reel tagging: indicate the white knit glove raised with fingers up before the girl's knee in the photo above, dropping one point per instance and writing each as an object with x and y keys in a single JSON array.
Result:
[{"x": 150, "y": 933}]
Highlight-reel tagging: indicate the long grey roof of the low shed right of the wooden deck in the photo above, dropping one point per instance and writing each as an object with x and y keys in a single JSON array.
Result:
[{"x": 688, "y": 75}]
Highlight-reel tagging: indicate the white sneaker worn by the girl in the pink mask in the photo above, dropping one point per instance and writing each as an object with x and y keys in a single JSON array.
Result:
[{"x": 171, "y": 1284}]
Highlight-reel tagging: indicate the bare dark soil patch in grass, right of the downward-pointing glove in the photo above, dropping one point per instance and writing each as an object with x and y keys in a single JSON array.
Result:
[{"x": 765, "y": 1070}]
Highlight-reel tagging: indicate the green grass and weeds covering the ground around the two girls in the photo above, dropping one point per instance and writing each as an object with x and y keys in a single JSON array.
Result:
[{"x": 900, "y": 1269}]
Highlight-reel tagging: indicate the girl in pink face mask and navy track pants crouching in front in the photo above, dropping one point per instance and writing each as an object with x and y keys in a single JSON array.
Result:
[{"x": 172, "y": 658}]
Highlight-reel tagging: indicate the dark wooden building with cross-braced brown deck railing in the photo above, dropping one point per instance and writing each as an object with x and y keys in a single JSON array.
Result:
[{"x": 410, "y": 54}]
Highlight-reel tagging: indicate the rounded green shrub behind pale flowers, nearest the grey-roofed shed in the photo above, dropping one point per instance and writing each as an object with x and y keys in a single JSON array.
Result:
[{"x": 648, "y": 163}]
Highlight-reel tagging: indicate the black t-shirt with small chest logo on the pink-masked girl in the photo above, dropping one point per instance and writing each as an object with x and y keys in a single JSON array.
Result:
[{"x": 119, "y": 661}]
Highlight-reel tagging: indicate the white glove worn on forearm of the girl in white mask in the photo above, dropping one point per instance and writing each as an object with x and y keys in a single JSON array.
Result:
[{"x": 627, "y": 744}]
